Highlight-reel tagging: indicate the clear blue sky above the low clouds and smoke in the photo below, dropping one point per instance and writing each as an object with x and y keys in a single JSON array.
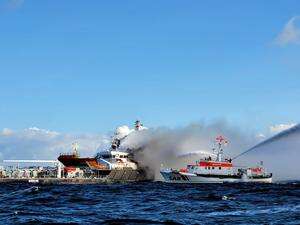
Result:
[{"x": 78, "y": 66}]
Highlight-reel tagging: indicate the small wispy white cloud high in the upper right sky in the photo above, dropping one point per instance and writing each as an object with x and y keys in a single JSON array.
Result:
[{"x": 290, "y": 33}]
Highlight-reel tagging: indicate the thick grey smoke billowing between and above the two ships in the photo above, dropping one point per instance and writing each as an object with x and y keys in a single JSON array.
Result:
[{"x": 177, "y": 147}]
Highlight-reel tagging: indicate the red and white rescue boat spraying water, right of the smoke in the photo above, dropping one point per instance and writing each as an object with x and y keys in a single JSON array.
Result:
[{"x": 216, "y": 170}]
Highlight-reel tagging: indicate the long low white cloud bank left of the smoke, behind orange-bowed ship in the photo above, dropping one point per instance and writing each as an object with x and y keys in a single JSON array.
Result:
[{"x": 35, "y": 143}]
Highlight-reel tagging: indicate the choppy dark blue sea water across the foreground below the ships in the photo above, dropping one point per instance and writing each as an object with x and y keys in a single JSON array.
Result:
[{"x": 150, "y": 203}]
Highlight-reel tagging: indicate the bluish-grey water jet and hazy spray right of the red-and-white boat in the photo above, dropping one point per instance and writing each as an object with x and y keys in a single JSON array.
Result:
[{"x": 280, "y": 154}]
